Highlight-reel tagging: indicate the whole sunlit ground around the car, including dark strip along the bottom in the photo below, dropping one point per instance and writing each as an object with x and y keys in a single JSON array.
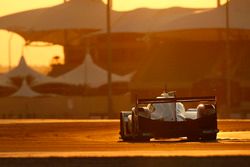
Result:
[{"x": 97, "y": 143}]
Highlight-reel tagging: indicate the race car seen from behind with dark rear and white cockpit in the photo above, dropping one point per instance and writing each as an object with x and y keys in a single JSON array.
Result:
[{"x": 198, "y": 122}]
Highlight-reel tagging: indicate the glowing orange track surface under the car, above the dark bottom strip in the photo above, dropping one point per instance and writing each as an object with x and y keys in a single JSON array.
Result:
[{"x": 100, "y": 138}]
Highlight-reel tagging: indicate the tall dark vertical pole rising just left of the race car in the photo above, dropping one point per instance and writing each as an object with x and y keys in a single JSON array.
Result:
[{"x": 109, "y": 61}]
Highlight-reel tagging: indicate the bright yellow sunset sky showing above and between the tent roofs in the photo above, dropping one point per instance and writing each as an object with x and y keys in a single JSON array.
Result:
[{"x": 42, "y": 56}]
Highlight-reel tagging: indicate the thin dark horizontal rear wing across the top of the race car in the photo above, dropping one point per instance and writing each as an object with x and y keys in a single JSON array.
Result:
[{"x": 211, "y": 99}]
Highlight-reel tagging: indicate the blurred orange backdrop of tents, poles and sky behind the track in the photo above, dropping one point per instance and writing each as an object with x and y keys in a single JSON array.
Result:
[{"x": 87, "y": 59}]
